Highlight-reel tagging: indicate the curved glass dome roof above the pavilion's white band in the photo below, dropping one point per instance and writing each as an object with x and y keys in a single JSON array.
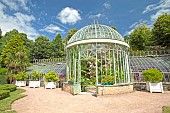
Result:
[{"x": 95, "y": 31}]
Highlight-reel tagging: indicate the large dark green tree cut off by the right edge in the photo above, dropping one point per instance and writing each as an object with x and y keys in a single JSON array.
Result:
[{"x": 161, "y": 30}]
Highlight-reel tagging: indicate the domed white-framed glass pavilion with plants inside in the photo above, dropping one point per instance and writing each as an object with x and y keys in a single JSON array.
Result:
[{"x": 95, "y": 52}]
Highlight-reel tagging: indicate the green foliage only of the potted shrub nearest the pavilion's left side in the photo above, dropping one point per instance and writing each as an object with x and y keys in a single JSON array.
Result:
[{"x": 51, "y": 77}]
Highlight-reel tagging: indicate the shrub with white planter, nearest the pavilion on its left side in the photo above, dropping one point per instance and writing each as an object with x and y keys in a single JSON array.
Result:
[{"x": 50, "y": 80}]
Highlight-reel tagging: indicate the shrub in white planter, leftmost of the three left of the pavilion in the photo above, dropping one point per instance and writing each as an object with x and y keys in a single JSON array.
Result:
[{"x": 21, "y": 78}]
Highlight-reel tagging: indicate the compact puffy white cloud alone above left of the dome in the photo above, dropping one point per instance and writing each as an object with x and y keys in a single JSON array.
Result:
[{"x": 69, "y": 15}]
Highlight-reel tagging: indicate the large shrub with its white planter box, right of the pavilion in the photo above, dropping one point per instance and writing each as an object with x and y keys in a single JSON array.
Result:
[{"x": 153, "y": 78}]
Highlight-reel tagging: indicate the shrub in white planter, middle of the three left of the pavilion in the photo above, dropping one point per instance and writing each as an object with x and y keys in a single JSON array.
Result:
[{"x": 35, "y": 79}]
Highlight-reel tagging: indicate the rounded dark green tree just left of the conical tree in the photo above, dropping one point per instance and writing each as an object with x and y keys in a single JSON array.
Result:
[{"x": 42, "y": 48}]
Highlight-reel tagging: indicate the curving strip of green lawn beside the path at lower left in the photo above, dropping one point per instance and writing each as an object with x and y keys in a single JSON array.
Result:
[{"x": 5, "y": 104}]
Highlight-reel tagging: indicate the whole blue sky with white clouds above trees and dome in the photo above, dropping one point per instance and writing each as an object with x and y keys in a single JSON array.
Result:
[{"x": 49, "y": 17}]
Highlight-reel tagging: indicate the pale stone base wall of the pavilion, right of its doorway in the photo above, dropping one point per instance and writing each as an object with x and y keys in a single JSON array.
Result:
[{"x": 114, "y": 89}]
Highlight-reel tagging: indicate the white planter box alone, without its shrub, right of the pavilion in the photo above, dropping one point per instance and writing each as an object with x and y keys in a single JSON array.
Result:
[{"x": 154, "y": 87}]
